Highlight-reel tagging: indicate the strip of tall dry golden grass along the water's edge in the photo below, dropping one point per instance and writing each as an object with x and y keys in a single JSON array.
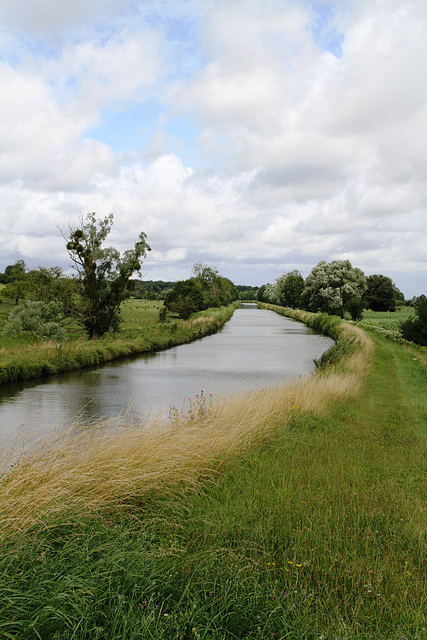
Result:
[{"x": 110, "y": 464}]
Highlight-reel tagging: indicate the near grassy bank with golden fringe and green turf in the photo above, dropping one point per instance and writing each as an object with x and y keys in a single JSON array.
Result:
[{"x": 297, "y": 512}]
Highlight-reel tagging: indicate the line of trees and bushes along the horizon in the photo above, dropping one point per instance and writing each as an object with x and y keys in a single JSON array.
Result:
[{"x": 46, "y": 299}]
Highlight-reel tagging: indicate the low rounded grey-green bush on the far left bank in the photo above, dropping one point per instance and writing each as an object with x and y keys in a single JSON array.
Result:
[{"x": 37, "y": 321}]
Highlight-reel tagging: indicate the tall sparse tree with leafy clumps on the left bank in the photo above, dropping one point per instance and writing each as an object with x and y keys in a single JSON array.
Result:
[{"x": 103, "y": 275}]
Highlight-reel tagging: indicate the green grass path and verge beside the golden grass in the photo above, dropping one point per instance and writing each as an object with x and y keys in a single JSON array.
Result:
[{"x": 316, "y": 531}]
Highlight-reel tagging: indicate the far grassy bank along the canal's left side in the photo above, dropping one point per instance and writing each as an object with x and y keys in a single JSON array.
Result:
[{"x": 140, "y": 332}]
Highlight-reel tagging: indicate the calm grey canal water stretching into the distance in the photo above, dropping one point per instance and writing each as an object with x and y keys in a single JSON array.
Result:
[{"x": 256, "y": 348}]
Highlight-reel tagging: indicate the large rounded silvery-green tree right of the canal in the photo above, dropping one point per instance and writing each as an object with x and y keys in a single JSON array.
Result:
[{"x": 330, "y": 286}]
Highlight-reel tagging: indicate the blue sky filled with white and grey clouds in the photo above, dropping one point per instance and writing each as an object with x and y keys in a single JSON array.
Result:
[{"x": 254, "y": 136}]
